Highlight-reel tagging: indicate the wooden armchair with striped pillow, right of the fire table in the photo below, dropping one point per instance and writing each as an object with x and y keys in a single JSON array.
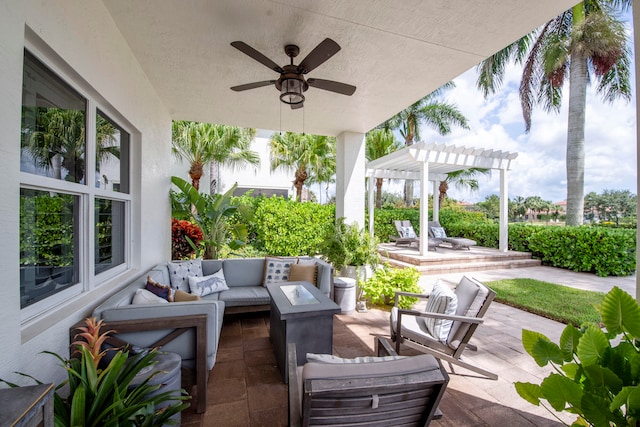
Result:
[{"x": 447, "y": 324}]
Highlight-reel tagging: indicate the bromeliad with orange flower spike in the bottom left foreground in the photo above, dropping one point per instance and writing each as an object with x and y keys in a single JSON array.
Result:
[{"x": 103, "y": 394}]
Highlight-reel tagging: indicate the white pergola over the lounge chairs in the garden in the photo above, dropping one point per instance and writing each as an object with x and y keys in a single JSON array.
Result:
[{"x": 432, "y": 162}]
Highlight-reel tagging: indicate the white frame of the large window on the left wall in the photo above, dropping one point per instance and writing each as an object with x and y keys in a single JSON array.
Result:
[{"x": 87, "y": 192}]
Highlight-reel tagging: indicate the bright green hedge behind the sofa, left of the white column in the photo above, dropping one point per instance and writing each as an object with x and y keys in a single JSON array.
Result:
[{"x": 289, "y": 228}]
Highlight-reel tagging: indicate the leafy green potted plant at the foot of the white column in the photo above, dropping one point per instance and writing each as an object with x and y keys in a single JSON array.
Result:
[{"x": 353, "y": 253}]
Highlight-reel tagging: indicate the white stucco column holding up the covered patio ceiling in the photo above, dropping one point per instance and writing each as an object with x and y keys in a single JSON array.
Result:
[{"x": 350, "y": 172}]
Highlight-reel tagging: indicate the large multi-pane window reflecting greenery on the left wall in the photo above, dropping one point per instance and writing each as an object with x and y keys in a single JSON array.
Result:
[{"x": 74, "y": 192}]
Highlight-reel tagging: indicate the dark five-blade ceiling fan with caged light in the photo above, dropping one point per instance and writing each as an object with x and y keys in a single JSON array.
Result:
[{"x": 292, "y": 83}]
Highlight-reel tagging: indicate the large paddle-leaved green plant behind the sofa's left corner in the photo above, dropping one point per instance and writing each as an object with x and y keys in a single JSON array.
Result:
[{"x": 213, "y": 216}]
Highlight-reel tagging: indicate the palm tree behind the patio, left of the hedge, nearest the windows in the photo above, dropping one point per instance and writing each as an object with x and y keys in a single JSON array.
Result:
[{"x": 201, "y": 143}]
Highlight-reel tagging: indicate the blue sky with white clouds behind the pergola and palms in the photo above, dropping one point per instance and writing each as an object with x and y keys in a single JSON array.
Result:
[{"x": 539, "y": 170}]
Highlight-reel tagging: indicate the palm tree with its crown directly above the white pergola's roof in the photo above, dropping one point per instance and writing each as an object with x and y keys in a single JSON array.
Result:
[{"x": 431, "y": 111}]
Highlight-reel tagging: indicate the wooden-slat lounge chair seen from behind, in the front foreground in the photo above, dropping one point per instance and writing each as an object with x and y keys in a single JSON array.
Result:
[{"x": 369, "y": 391}]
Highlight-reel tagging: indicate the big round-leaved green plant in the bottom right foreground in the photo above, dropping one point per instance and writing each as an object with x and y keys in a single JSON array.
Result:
[{"x": 596, "y": 373}]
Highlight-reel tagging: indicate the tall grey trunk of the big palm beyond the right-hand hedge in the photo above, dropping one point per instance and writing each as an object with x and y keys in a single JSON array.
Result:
[{"x": 575, "y": 138}]
